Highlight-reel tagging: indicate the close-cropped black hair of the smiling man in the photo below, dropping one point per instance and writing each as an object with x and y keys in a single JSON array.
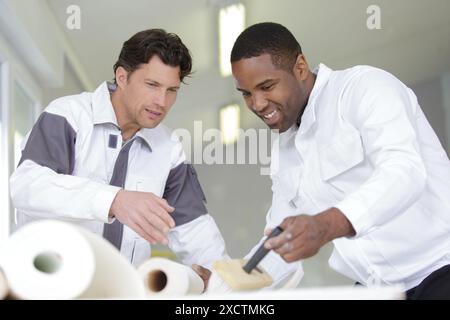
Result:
[{"x": 271, "y": 38}]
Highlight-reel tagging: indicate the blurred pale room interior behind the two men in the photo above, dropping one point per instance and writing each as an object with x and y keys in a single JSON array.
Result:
[{"x": 52, "y": 48}]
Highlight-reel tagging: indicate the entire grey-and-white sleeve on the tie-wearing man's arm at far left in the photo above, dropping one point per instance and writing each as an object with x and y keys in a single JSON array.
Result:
[{"x": 43, "y": 185}]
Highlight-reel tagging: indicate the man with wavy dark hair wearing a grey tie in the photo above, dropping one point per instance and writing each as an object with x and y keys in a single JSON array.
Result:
[{"x": 103, "y": 160}]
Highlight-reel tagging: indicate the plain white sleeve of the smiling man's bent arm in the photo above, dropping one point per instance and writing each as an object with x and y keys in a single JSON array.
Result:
[{"x": 384, "y": 112}]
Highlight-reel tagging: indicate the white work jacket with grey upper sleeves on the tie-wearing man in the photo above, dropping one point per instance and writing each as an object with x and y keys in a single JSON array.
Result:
[{"x": 68, "y": 160}]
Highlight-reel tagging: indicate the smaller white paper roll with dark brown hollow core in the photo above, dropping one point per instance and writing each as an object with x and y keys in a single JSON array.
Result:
[{"x": 163, "y": 277}]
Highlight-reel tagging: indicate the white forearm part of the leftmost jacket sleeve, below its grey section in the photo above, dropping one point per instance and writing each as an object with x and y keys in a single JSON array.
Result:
[{"x": 41, "y": 192}]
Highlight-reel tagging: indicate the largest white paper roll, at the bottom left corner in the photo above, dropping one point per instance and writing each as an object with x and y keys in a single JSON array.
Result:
[{"x": 56, "y": 260}]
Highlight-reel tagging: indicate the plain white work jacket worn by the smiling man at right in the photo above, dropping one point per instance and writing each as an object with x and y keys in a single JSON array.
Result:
[{"x": 365, "y": 147}]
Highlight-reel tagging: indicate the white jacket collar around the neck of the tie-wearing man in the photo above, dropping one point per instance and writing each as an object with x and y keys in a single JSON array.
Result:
[{"x": 103, "y": 111}]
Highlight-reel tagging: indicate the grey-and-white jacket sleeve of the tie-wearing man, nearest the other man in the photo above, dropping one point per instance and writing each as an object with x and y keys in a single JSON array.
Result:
[{"x": 196, "y": 237}]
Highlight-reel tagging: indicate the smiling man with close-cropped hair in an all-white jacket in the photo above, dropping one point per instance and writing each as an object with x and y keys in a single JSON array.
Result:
[{"x": 359, "y": 165}]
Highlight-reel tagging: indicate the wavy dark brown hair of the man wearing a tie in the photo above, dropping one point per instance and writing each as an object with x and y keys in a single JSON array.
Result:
[{"x": 141, "y": 47}]
